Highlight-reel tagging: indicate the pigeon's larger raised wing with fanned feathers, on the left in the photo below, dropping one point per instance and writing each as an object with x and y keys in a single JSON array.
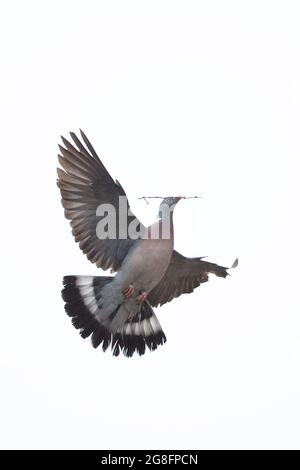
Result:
[{"x": 84, "y": 184}]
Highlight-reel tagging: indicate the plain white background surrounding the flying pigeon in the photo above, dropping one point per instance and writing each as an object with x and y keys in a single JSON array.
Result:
[{"x": 178, "y": 97}]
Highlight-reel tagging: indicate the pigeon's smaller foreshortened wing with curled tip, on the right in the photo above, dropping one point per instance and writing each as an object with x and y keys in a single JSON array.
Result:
[{"x": 183, "y": 276}]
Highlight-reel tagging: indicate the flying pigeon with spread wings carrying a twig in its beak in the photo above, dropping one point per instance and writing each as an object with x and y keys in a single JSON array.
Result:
[{"x": 117, "y": 310}]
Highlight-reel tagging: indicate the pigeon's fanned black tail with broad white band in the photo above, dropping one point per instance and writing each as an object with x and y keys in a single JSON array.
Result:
[{"x": 83, "y": 303}]
